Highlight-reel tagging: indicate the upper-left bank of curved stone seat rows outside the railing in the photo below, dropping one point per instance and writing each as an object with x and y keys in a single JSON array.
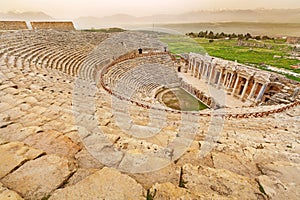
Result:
[{"x": 75, "y": 53}]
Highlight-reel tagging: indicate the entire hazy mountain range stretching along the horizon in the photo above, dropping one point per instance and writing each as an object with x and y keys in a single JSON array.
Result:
[{"x": 201, "y": 16}]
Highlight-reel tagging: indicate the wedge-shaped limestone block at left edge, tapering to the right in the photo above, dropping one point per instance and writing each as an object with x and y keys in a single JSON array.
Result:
[{"x": 14, "y": 154}]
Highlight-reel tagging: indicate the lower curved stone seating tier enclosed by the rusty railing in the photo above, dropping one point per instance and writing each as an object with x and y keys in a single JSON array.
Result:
[{"x": 141, "y": 75}]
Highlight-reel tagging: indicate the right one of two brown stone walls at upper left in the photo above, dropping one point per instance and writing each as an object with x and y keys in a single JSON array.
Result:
[{"x": 66, "y": 26}]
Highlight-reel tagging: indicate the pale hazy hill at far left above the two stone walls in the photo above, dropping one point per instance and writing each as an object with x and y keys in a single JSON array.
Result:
[{"x": 24, "y": 16}]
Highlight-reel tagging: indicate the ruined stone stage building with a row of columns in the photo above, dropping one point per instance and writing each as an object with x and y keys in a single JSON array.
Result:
[{"x": 243, "y": 82}]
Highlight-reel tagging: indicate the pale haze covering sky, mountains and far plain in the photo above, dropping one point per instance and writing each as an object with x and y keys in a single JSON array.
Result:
[{"x": 277, "y": 18}]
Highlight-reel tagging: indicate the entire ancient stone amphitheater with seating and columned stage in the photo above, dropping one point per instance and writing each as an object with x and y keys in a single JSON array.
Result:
[{"x": 80, "y": 119}]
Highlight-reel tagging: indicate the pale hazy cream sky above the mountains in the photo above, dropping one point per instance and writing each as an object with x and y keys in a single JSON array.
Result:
[{"x": 76, "y": 8}]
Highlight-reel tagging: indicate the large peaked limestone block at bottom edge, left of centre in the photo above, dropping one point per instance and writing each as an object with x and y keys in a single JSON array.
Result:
[{"x": 105, "y": 184}]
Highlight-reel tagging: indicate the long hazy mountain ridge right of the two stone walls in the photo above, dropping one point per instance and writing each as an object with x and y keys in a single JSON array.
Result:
[{"x": 258, "y": 15}]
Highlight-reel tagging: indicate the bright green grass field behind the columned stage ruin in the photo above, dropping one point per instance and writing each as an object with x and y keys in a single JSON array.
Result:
[{"x": 229, "y": 50}]
